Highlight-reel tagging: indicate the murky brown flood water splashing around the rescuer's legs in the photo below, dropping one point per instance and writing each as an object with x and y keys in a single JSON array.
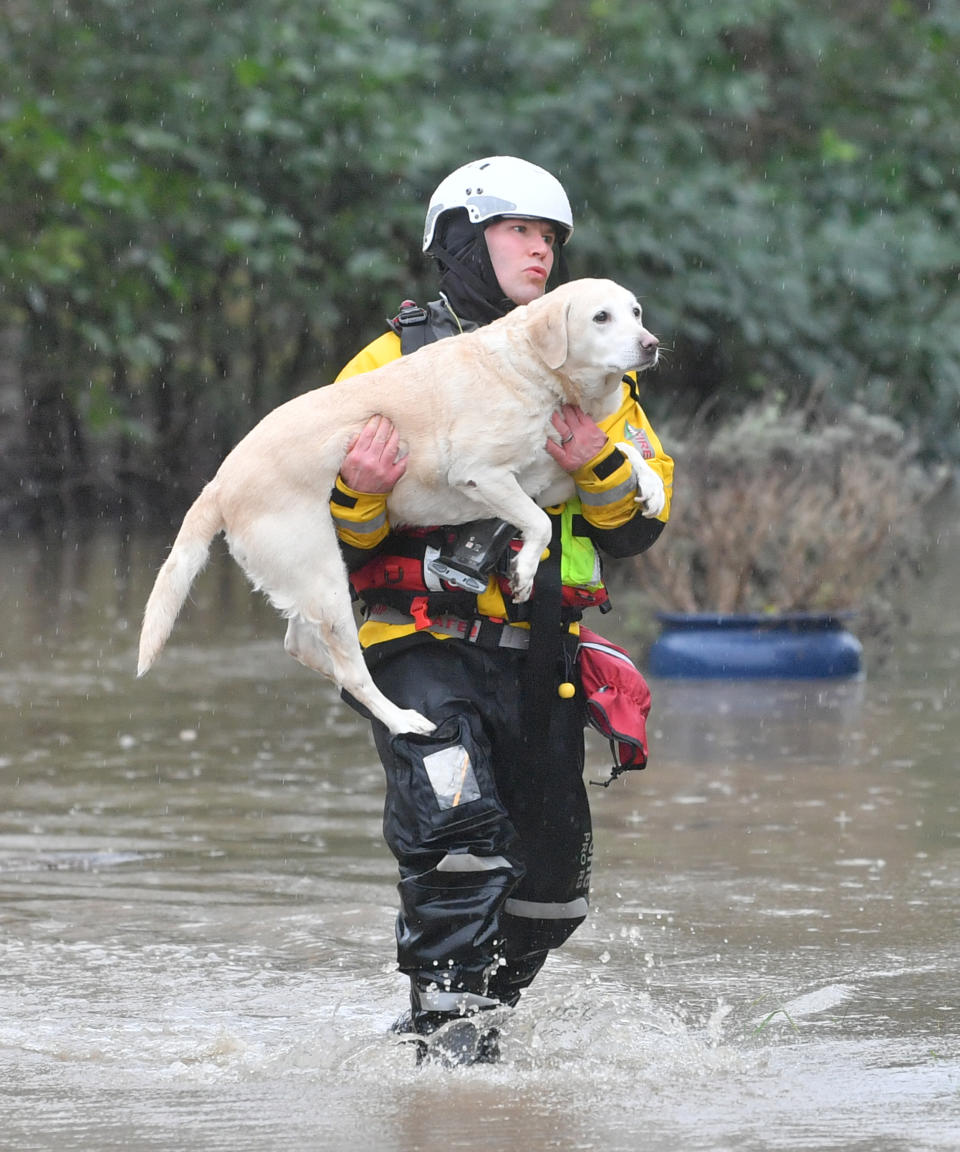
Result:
[{"x": 196, "y": 910}]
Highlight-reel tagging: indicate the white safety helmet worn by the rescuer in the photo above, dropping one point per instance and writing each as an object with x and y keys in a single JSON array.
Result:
[{"x": 496, "y": 187}]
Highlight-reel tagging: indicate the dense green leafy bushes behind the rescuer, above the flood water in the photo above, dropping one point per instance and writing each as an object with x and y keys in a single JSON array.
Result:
[{"x": 208, "y": 208}]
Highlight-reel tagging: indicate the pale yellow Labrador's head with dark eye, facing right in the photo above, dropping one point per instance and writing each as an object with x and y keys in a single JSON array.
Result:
[{"x": 591, "y": 329}]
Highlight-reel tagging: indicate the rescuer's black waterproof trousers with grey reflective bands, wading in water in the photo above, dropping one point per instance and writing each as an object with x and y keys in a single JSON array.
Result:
[{"x": 494, "y": 842}]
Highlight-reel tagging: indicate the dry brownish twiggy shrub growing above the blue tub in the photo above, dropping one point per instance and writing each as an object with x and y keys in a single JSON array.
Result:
[{"x": 812, "y": 507}]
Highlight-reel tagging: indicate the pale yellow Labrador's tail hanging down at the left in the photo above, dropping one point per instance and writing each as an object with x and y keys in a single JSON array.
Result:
[{"x": 186, "y": 559}]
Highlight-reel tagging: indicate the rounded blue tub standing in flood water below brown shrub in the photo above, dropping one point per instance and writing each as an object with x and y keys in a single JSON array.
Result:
[{"x": 803, "y": 646}]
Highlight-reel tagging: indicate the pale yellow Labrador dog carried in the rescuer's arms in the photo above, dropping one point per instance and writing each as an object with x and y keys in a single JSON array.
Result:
[{"x": 473, "y": 413}]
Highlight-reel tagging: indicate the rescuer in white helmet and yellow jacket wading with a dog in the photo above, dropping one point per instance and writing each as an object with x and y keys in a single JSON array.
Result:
[{"x": 488, "y": 817}]
